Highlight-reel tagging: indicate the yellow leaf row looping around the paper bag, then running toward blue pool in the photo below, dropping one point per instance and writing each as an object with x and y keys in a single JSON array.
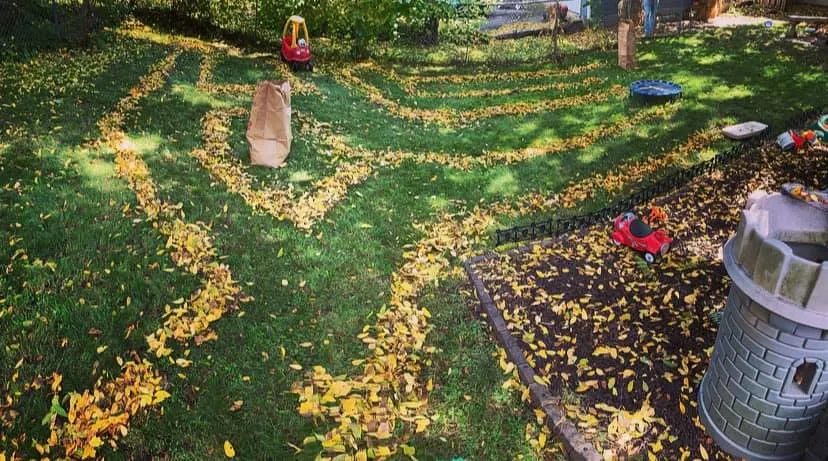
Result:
[{"x": 305, "y": 210}]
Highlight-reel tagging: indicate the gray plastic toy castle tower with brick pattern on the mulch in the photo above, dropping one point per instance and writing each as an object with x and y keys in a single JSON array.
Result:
[{"x": 766, "y": 390}]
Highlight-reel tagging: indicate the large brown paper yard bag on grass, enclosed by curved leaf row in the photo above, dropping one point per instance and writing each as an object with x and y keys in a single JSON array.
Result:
[{"x": 268, "y": 130}]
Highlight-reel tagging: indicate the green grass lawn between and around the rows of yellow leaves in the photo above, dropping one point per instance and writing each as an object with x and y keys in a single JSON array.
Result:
[{"x": 85, "y": 278}]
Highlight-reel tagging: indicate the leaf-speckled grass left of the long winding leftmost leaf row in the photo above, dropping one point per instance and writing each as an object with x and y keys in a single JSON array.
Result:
[{"x": 90, "y": 283}]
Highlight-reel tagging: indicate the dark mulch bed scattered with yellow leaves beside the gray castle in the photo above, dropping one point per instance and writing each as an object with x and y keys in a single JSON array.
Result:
[{"x": 625, "y": 345}]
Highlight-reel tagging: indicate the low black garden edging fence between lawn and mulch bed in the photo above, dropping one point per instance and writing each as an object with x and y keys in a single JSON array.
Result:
[{"x": 556, "y": 226}]
